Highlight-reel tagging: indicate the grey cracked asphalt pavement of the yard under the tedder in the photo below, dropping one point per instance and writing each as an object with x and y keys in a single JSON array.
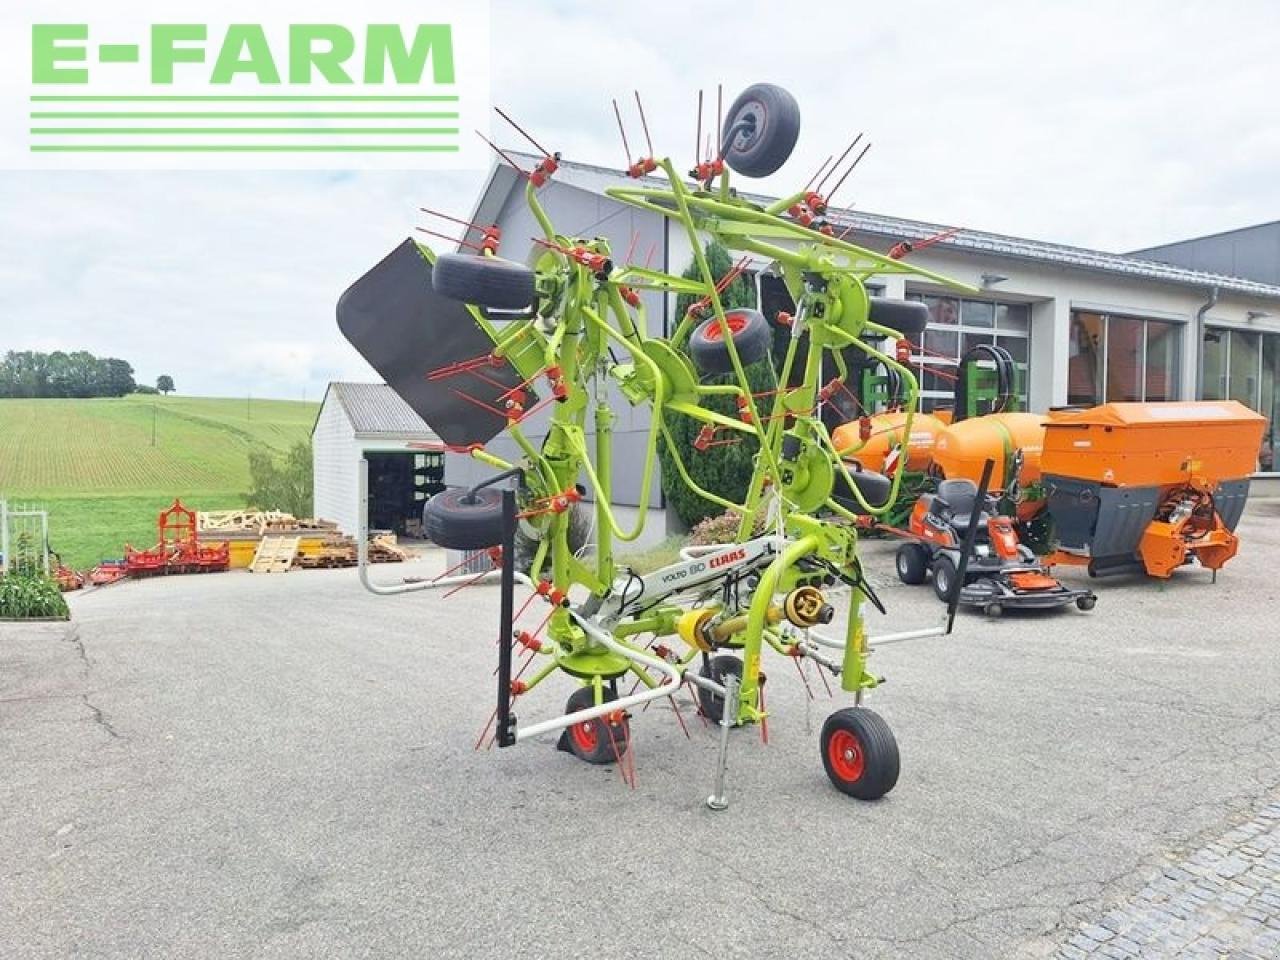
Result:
[{"x": 246, "y": 766}]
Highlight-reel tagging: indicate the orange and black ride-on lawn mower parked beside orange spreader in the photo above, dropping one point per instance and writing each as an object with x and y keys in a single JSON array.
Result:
[{"x": 1000, "y": 573}]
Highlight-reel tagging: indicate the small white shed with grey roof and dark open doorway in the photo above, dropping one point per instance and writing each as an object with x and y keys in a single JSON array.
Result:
[{"x": 406, "y": 460}]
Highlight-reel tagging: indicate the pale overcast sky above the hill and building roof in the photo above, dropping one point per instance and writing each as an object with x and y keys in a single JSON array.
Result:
[{"x": 1103, "y": 125}]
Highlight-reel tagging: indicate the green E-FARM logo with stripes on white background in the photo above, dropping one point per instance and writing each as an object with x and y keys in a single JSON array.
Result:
[{"x": 289, "y": 85}]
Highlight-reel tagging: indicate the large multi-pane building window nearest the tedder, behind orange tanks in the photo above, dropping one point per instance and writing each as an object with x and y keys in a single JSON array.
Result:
[{"x": 957, "y": 327}]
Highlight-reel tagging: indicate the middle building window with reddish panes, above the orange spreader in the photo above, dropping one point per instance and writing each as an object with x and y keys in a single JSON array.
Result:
[{"x": 1121, "y": 359}]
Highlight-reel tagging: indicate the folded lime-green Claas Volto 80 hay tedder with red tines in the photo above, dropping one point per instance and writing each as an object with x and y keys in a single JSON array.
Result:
[{"x": 472, "y": 341}]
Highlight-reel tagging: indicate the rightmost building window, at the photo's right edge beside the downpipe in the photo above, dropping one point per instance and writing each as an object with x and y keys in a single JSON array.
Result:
[{"x": 1245, "y": 367}]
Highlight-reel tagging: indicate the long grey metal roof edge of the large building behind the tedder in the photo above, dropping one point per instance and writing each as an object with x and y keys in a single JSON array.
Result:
[{"x": 597, "y": 179}]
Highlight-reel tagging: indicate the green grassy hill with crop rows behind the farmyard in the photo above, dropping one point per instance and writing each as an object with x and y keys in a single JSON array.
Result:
[{"x": 92, "y": 463}]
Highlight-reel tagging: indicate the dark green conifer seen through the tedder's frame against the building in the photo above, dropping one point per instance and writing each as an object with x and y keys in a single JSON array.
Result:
[{"x": 725, "y": 469}]
